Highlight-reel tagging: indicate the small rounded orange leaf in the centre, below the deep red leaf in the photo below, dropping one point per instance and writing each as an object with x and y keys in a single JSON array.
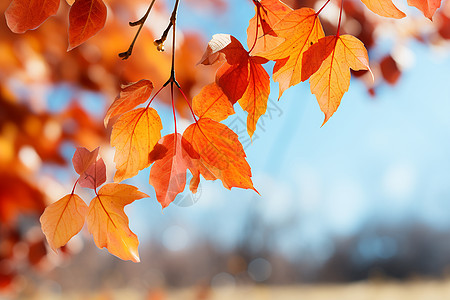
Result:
[{"x": 212, "y": 103}]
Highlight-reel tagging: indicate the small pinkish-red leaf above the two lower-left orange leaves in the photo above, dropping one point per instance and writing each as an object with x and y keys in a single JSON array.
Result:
[{"x": 92, "y": 170}]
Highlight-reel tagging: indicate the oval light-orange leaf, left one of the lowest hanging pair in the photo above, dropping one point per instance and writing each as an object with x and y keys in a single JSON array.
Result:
[{"x": 63, "y": 219}]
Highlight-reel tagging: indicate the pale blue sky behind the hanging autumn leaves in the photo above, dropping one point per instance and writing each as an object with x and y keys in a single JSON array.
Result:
[{"x": 382, "y": 159}]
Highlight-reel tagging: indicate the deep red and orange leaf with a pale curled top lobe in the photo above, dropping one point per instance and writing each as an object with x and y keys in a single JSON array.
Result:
[{"x": 242, "y": 77}]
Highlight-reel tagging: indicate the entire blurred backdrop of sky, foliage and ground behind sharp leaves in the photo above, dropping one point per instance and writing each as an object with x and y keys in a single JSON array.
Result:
[{"x": 356, "y": 209}]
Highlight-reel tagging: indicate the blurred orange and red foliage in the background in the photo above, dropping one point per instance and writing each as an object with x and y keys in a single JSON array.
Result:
[{"x": 33, "y": 65}]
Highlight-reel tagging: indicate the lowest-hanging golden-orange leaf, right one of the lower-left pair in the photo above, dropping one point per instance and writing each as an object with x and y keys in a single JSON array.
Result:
[{"x": 108, "y": 223}]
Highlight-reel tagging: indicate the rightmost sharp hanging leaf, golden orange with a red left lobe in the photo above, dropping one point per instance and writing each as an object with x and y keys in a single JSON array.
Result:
[{"x": 330, "y": 61}]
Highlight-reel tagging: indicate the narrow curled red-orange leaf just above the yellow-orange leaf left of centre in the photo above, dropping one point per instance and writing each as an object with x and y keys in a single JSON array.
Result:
[{"x": 130, "y": 96}]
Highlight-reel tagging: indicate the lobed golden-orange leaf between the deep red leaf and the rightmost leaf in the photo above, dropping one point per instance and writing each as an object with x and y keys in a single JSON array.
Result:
[{"x": 301, "y": 28}]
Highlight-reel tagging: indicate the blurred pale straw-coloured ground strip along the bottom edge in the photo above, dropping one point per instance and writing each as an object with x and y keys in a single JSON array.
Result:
[{"x": 365, "y": 290}]
